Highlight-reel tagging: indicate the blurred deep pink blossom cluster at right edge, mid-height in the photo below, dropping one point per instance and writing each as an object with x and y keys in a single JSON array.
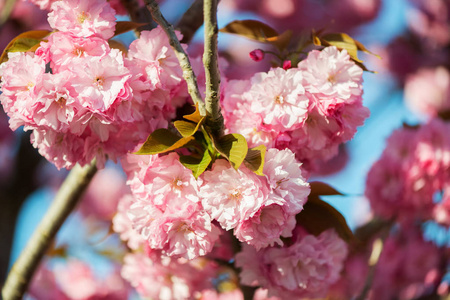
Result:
[{"x": 411, "y": 180}]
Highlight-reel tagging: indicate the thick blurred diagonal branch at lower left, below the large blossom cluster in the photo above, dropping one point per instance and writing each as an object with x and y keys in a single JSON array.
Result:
[{"x": 65, "y": 201}]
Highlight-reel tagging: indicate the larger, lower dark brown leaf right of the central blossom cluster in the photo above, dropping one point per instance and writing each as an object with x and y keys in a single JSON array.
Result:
[{"x": 318, "y": 216}]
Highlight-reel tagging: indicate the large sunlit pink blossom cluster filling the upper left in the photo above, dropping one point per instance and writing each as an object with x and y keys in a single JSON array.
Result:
[{"x": 84, "y": 99}]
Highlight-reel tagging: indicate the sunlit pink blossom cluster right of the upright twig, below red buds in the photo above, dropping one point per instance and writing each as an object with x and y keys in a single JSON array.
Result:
[{"x": 310, "y": 109}]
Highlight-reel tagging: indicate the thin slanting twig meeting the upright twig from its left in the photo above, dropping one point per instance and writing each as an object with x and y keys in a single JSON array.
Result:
[{"x": 188, "y": 73}]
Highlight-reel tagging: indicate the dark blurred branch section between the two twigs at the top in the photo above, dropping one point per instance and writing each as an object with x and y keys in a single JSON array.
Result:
[{"x": 191, "y": 21}]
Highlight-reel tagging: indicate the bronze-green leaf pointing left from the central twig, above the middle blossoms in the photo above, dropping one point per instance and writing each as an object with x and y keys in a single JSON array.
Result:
[{"x": 163, "y": 140}]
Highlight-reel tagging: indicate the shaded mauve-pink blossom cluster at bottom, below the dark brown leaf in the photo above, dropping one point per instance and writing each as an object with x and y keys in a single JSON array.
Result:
[{"x": 305, "y": 269}]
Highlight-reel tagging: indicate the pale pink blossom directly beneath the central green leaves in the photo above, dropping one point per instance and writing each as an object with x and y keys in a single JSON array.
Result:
[{"x": 231, "y": 196}]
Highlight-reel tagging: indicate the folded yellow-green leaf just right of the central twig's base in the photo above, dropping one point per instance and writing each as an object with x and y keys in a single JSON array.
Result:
[{"x": 233, "y": 147}]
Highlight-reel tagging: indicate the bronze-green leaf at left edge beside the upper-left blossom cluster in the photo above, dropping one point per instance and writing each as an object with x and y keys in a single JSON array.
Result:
[{"x": 27, "y": 41}]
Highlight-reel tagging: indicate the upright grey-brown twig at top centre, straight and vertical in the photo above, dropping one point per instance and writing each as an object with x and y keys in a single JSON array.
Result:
[{"x": 212, "y": 74}]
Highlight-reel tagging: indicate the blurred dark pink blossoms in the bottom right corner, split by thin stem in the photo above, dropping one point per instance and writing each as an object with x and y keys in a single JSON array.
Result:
[{"x": 409, "y": 267}]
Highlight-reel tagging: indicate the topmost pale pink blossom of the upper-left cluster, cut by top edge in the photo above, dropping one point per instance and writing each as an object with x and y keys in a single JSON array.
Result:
[{"x": 83, "y": 18}]
